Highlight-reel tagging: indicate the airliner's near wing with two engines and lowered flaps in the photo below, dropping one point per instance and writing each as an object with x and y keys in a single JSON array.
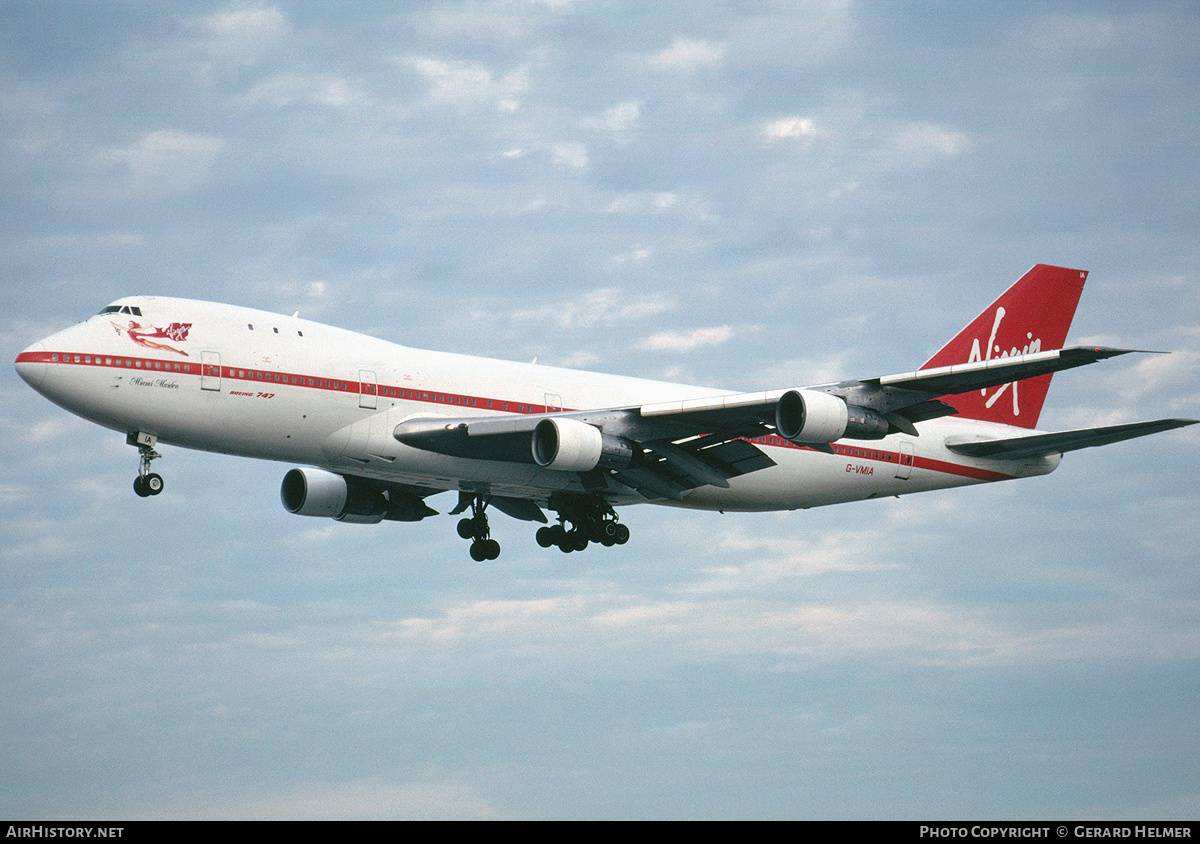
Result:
[{"x": 668, "y": 448}]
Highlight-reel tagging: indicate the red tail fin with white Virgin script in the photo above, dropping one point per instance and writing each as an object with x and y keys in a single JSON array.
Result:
[{"x": 1034, "y": 315}]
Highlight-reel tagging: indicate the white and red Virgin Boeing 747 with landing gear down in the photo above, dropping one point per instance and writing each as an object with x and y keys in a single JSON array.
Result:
[{"x": 376, "y": 428}]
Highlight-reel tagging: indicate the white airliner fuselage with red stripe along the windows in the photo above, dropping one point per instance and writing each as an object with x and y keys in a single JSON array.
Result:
[{"x": 244, "y": 382}]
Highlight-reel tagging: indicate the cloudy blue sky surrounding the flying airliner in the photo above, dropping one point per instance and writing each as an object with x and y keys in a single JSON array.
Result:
[{"x": 742, "y": 195}]
